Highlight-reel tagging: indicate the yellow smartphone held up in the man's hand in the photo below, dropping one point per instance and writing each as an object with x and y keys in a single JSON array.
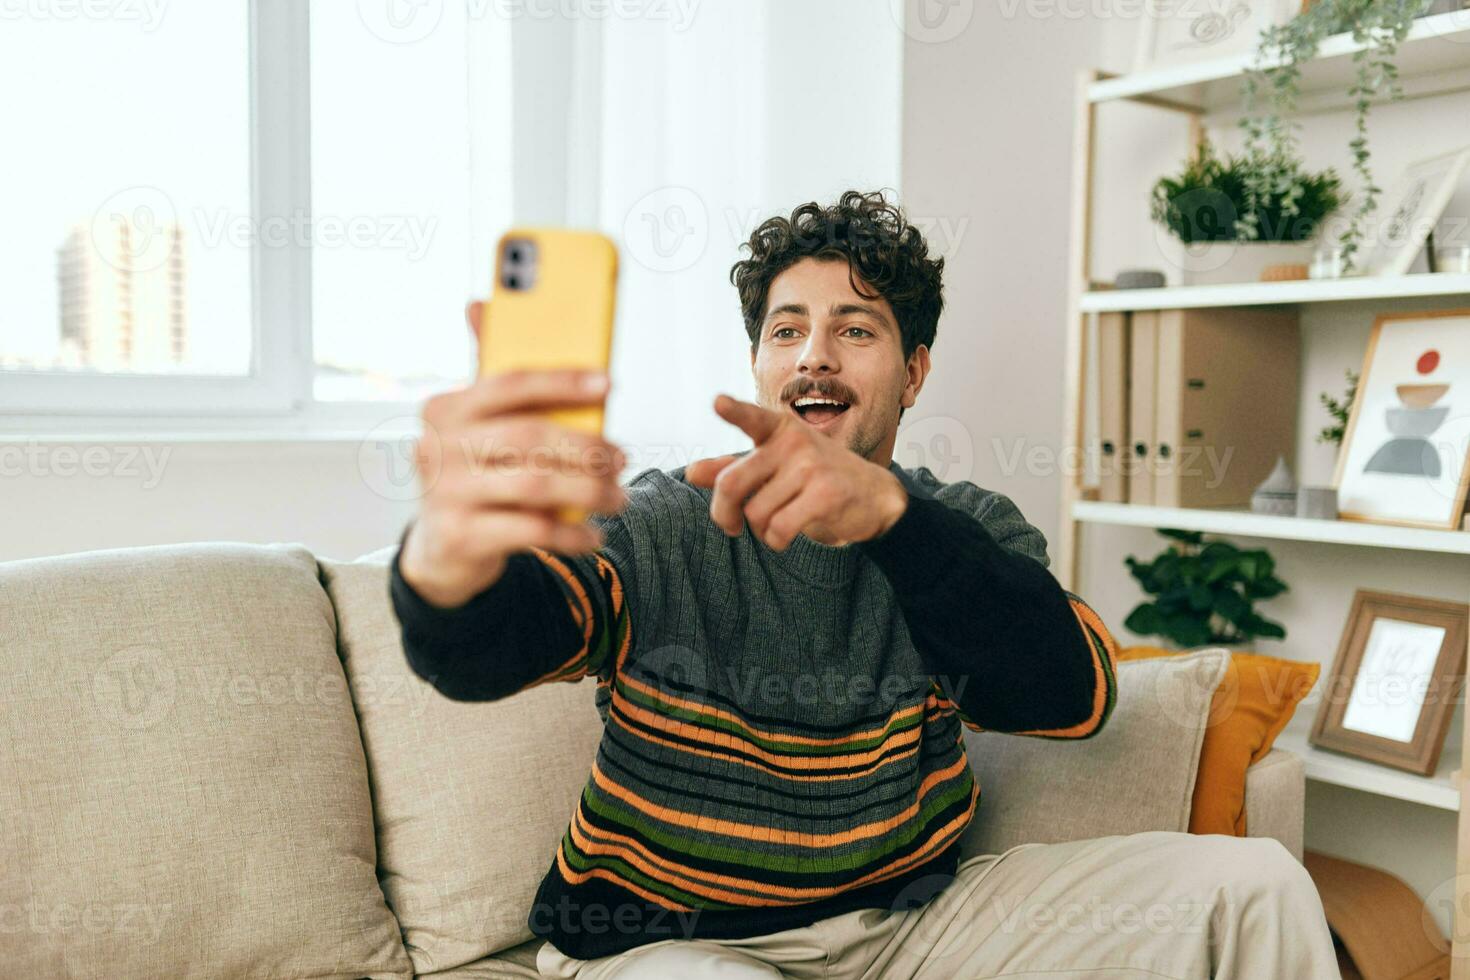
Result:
[{"x": 552, "y": 308}]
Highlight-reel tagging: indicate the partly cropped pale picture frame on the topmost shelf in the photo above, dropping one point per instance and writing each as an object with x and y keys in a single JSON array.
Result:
[{"x": 1186, "y": 32}]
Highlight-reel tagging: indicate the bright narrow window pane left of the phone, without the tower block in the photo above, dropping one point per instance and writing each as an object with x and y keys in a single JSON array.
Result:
[{"x": 390, "y": 205}]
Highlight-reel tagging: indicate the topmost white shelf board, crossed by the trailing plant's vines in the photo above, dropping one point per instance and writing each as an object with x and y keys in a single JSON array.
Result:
[{"x": 1437, "y": 48}]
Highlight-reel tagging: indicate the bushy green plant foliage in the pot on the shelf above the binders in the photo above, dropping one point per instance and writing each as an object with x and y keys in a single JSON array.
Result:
[{"x": 1211, "y": 201}]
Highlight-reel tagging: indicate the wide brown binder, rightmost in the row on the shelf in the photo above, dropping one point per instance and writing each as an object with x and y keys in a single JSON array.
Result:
[{"x": 1225, "y": 403}]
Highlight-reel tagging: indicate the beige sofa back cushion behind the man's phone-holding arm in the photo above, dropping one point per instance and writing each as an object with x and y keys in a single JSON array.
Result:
[{"x": 471, "y": 799}]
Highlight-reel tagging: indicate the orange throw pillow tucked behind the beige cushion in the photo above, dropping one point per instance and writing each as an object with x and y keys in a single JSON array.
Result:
[{"x": 1250, "y": 709}]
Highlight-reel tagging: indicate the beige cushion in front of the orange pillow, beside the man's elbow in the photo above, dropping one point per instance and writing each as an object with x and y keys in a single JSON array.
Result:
[{"x": 1136, "y": 775}]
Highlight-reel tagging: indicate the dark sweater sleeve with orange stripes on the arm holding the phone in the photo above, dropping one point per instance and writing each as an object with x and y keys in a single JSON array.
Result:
[{"x": 548, "y": 618}]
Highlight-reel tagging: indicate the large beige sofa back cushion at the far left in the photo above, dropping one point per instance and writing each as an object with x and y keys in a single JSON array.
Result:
[{"x": 183, "y": 785}]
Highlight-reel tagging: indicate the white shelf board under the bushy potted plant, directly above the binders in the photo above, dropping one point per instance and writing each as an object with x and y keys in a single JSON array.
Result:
[{"x": 1352, "y": 290}]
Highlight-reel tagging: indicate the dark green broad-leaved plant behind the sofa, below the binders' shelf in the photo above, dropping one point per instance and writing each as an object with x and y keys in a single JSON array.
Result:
[{"x": 1205, "y": 593}]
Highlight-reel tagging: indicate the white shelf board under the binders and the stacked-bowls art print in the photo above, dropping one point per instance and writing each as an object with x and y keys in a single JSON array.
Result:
[{"x": 1227, "y": 521}]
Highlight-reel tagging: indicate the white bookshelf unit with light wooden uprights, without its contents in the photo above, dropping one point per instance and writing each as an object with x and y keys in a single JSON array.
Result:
[{"x": 1434, "y": 60}]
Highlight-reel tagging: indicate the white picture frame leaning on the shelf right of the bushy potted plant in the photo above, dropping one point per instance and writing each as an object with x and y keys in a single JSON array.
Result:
[{"x": 1410, "y": 209}]
